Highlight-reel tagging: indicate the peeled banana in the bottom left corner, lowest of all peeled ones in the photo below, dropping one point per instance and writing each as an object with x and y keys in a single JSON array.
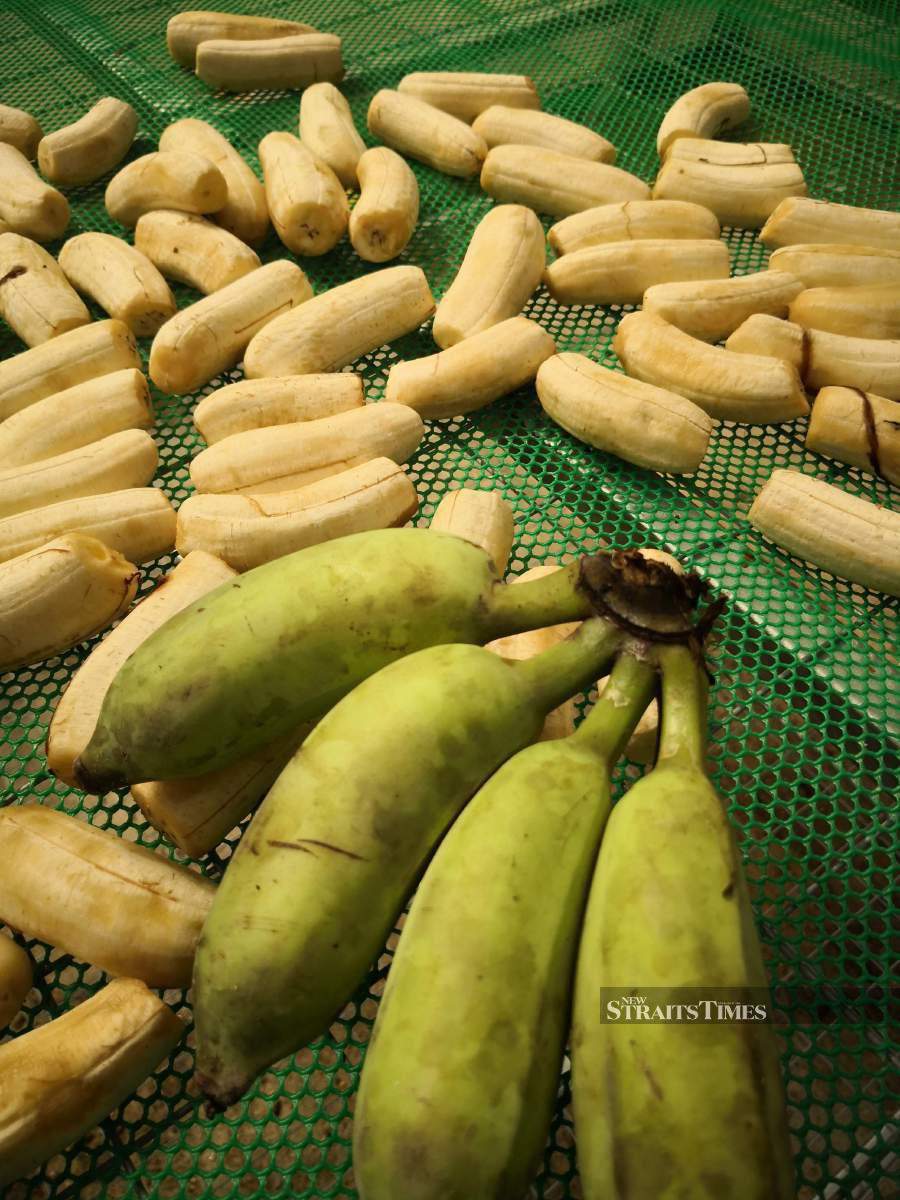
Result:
[{"x": 65, "y": 1077}]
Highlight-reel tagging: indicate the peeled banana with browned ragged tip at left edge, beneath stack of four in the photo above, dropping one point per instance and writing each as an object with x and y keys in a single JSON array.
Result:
[{"x": 57, "y": 596}]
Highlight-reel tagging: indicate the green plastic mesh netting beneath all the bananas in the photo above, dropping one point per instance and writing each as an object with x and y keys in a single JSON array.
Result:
[{"x": 805, "y": 704}]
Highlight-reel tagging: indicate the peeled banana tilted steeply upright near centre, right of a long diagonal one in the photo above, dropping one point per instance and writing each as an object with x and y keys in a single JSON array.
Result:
[{"x": 501, "y": 271}]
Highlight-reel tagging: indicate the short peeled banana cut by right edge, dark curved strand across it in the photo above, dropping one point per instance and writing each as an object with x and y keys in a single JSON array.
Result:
[{"x": 857, "y": 428}]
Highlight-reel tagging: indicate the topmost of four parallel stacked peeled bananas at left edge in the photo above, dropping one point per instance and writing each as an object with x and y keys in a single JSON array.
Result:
[{"x": 74, "y": 358}]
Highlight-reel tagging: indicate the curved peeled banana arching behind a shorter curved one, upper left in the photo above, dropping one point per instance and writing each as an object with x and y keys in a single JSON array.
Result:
[{"x": 244, "y": 213}]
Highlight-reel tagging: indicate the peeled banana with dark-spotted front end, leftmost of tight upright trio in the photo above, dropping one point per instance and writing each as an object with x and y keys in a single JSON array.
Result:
[{"x": 307, "y": 201}]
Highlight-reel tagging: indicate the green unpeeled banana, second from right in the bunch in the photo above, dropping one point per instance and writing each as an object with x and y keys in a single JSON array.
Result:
[{"x": 495, "y": 926}]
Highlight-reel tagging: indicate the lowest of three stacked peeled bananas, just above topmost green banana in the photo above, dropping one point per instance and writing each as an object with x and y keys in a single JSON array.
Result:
[{"x": 249, "y": 531}]
